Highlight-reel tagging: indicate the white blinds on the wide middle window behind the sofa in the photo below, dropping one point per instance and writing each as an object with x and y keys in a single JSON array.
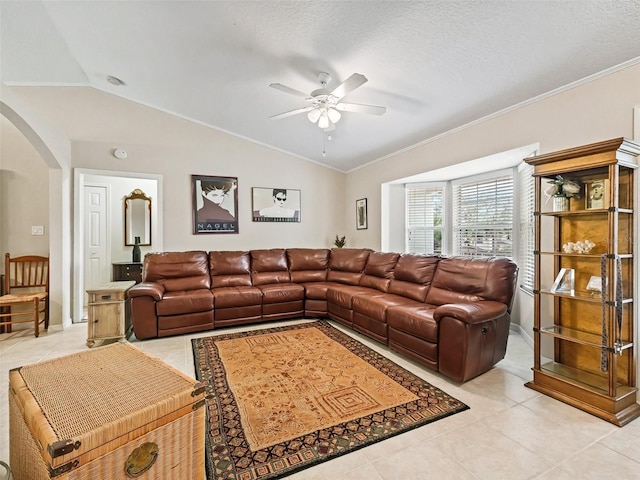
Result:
[{"x": 483, "y": 216}]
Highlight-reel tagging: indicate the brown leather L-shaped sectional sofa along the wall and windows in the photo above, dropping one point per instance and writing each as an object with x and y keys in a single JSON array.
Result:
[{"x": 449, "y": 313}]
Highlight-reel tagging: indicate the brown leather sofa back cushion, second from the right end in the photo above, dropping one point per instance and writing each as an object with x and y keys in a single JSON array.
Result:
[{"x": 413, "y": 275}]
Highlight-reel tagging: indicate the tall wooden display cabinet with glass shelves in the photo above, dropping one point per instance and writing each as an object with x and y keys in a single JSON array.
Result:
[{"x": 584, "y": 309}]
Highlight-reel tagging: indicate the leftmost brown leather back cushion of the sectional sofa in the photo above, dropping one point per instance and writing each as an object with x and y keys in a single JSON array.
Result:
[{"x": 178, "y": 270}]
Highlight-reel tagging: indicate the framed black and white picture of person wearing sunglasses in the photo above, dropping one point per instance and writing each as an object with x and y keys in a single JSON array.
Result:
[{"x": 275, "y": 204}]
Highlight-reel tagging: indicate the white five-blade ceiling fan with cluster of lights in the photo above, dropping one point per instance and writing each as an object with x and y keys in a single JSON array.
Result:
[{"x": 326, "y": 105}]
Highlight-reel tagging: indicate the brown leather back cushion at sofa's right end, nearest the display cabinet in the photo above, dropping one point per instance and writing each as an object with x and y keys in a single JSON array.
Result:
[{"x": 465, "y": 279}]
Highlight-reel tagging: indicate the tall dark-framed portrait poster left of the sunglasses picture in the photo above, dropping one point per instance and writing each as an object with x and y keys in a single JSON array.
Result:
[{"x": 215, "y": 204}]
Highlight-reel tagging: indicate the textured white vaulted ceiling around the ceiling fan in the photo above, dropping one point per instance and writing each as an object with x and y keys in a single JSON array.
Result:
[{"x": 435, "y": 65}]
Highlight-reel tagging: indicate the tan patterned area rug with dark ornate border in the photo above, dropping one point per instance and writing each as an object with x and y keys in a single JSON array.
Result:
[{"x": 283, "y": 399}]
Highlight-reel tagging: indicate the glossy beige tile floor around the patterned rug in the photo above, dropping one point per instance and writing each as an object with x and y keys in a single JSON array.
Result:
[{"x": 510, "y": 432}]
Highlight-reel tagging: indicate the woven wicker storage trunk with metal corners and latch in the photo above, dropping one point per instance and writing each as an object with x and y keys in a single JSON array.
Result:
[{"x": 109, "y": 413}]
